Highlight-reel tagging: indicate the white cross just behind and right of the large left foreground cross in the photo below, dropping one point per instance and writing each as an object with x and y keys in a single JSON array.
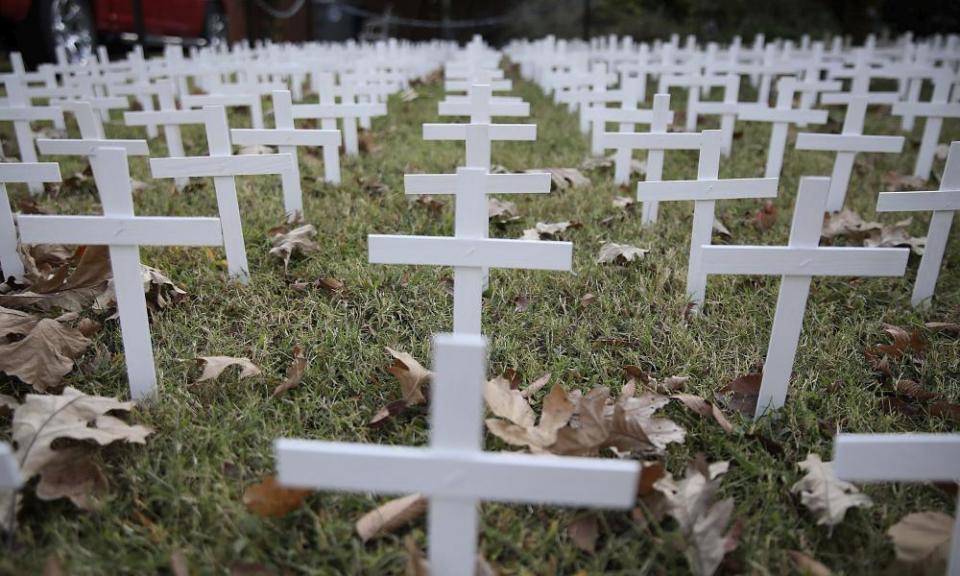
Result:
[{"x": 223, "y": 167}]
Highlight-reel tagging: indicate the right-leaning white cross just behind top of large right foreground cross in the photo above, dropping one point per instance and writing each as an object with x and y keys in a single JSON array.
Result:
[{"x": 847, "y": 144}]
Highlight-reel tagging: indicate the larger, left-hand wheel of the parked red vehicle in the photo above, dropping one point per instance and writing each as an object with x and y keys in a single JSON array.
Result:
[{"x": 51, "y": 23}]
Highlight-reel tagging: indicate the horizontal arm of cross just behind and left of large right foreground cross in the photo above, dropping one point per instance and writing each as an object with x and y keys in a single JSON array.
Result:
[{"x": 726, "y": 189}]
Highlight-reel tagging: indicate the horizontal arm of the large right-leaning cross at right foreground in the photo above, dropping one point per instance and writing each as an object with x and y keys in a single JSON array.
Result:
[{"x": 787, "y": 261}]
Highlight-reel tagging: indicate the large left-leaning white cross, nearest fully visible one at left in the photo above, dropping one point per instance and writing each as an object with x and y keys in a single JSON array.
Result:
[{"x": 124, "y": 233}]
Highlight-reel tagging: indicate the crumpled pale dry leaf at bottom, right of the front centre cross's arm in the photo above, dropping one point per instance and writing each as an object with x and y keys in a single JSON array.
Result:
[{"x": 702, "y": 521}]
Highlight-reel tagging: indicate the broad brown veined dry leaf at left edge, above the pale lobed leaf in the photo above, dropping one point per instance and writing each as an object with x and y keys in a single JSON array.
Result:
[{"x": 38, "y": 351}]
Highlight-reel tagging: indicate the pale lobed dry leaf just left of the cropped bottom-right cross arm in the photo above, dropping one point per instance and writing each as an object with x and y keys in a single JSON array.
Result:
[{"x": 826, "y": 495}]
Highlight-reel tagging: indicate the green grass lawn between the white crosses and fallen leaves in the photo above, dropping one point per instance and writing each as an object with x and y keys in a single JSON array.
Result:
[{"x": 183, "y": 489}]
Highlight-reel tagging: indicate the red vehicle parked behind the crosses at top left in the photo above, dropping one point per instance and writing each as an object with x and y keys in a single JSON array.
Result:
[{"x": 39, "y": 26}]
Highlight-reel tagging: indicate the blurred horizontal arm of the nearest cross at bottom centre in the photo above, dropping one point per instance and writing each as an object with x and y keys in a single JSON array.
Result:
[{"x": 504, "y": 477}]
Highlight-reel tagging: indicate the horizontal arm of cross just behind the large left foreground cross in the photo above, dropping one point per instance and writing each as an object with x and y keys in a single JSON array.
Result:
[{"x": 213, "y": 166}]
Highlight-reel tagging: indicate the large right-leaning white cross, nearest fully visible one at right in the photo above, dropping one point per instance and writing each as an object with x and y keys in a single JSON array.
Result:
[{"x": 798, "y": 263}]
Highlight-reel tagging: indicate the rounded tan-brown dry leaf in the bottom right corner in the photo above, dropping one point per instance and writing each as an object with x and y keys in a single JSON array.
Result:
[{"x": 922, "y": 540}]
